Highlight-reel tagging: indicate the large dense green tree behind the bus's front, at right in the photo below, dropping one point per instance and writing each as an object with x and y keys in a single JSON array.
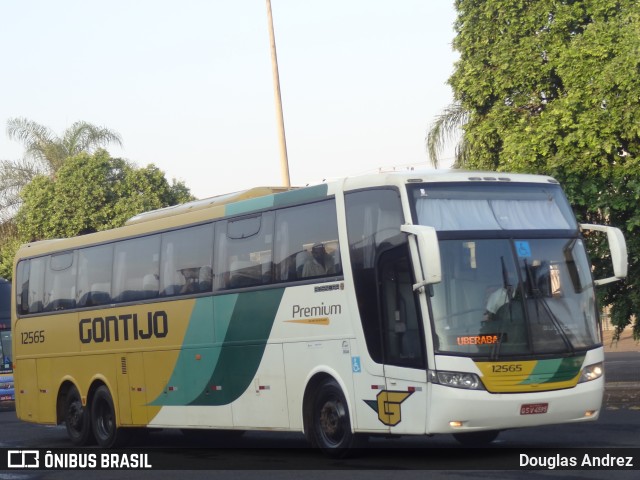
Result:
[{"x": 551, "y": 86}]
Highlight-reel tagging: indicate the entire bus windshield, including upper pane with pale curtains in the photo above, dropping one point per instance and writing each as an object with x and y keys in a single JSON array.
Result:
[{"x": 515, "y": 276}]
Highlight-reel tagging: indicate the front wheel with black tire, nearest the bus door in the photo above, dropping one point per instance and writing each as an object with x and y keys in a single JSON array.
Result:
[{"x": 330, "y": 422}]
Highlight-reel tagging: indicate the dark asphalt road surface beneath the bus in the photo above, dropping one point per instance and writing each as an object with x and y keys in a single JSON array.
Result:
[{"x": 269, "y": 456}]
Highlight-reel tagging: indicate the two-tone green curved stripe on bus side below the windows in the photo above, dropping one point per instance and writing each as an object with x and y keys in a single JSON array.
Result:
[{"x": 223, "y": 371}]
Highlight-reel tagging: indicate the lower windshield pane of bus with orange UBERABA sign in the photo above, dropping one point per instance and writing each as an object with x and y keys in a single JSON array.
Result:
[{"x": 504, "y": 297}]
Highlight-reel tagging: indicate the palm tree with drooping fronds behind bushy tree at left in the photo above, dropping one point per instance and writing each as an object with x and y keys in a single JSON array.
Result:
[{"x": 45, "y": 153}]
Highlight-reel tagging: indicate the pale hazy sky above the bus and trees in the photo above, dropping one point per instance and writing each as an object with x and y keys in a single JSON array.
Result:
[{"x": 188, "y": 84}]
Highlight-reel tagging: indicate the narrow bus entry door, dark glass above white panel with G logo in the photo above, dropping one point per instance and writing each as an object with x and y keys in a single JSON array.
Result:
[{"x": 403, "y": 404}]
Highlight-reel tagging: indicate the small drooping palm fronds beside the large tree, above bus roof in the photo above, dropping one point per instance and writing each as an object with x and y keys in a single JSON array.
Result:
[{"x": 444, "y": 129}]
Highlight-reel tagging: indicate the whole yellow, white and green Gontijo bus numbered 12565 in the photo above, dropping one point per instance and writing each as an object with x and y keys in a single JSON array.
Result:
[{"x": 412, "y": 303}]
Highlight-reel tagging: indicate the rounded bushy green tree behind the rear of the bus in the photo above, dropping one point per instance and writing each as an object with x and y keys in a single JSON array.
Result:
[{"x": 90, "y": 193}]
